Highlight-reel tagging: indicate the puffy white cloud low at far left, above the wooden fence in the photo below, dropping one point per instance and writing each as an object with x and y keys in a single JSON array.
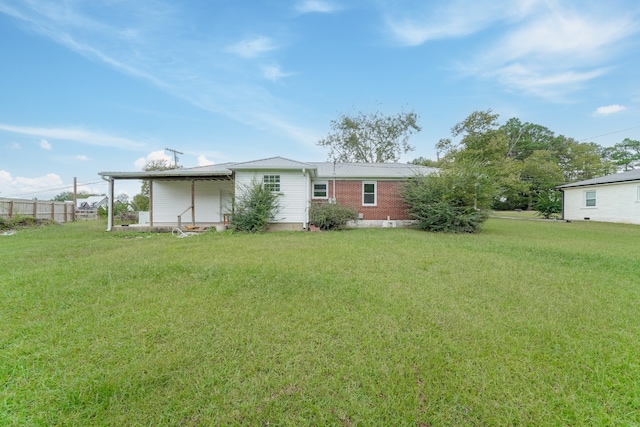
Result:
[{"x": 42, "y": 187}]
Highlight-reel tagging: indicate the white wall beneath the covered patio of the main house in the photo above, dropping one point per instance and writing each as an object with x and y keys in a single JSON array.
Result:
[{"x": 171, "y": 198}]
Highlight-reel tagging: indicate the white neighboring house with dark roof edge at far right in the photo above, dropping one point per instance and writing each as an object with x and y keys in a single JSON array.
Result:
[{"x": 611, "y": 198}]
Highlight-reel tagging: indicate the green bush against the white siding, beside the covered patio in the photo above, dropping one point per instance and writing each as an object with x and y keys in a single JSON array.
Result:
[{"x": 255, "y": 208}]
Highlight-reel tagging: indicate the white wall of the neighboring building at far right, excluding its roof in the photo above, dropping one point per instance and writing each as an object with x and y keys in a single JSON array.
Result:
[{"x": 614, "y": 203}]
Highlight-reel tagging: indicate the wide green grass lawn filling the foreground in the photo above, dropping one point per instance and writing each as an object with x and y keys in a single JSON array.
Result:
[{"x": 526, "y": 323}]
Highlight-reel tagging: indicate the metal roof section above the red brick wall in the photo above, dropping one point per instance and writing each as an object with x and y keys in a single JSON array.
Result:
[{"x": 370, "y": 170}]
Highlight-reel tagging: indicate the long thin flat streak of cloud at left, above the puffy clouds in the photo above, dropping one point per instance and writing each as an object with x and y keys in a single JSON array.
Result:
[{"x": 76, "y": 135}]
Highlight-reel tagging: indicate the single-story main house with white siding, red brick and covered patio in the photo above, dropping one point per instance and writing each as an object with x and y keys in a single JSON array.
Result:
[{"x": 203, "y": 196}]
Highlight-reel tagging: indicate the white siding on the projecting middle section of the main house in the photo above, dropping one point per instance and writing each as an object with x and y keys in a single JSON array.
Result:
[{"x": 293, "y": 193}]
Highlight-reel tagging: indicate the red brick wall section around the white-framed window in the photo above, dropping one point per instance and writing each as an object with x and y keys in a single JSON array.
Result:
[{"x": 389, "y": 202}]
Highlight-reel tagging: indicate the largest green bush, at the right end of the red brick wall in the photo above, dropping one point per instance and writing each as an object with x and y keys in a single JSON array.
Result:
[{"x": 449, "y": 201}]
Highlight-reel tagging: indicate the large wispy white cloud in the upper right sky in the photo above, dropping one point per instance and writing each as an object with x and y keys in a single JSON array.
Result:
[{"x": 546, "y": 48}]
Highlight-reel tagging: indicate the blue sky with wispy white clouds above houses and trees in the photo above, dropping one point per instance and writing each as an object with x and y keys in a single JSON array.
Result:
[{"x": 109, "y": 85}]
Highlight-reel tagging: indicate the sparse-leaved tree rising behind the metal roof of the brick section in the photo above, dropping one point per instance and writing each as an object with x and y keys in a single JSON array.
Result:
[{"x": 370, "y": 138}]
